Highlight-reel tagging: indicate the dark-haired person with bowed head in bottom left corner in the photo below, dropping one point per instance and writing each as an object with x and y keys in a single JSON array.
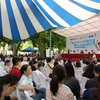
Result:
[{"x": 8, "y": 84}]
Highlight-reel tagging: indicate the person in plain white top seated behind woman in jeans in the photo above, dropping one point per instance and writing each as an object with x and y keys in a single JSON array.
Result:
[{"x": 39, "y": 78}]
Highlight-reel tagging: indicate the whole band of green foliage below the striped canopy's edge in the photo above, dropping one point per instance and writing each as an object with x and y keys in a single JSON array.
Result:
[{"x": 40, "y": 40}]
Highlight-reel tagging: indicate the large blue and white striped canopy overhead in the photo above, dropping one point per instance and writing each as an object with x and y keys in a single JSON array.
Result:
[{"x": 20, "y": 19}]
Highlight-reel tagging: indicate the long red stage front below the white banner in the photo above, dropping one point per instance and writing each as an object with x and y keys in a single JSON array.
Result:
[{"x": 76, "y": 57}]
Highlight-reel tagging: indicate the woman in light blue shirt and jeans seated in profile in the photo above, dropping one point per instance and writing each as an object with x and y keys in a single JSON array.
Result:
[{"x": 26, "y": 83}]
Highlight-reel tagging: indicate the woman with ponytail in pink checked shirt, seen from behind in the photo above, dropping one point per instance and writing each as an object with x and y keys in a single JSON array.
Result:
[{"x": 56, "y": 90}]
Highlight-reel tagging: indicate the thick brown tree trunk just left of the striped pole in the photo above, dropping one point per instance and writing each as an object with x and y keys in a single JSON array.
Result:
[{"x": 40, "y": 45}]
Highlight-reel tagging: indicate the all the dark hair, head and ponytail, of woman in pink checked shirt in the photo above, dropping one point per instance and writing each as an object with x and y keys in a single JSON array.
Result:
[{"x": 58, "y": 75}]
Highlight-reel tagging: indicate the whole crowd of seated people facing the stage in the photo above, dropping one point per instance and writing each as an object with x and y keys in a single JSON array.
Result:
[{"x": 49, "y": 79}]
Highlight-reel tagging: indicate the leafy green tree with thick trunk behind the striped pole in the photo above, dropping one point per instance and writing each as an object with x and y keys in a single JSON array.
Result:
[{"x": 42, "y": 41}]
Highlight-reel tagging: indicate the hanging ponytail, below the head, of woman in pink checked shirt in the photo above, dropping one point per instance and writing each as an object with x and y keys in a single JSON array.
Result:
[{"x": 54, "y": 85}]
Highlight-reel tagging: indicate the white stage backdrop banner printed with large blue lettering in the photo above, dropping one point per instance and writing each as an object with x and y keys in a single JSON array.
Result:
[{"x": 86, "y": 42}]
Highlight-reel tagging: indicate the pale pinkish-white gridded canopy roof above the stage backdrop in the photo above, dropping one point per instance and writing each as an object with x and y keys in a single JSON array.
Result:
[{"x": 88, "y": 26}]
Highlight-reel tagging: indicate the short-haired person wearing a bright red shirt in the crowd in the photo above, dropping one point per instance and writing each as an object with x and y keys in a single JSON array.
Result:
[{"x": 16, "y": 66}]
